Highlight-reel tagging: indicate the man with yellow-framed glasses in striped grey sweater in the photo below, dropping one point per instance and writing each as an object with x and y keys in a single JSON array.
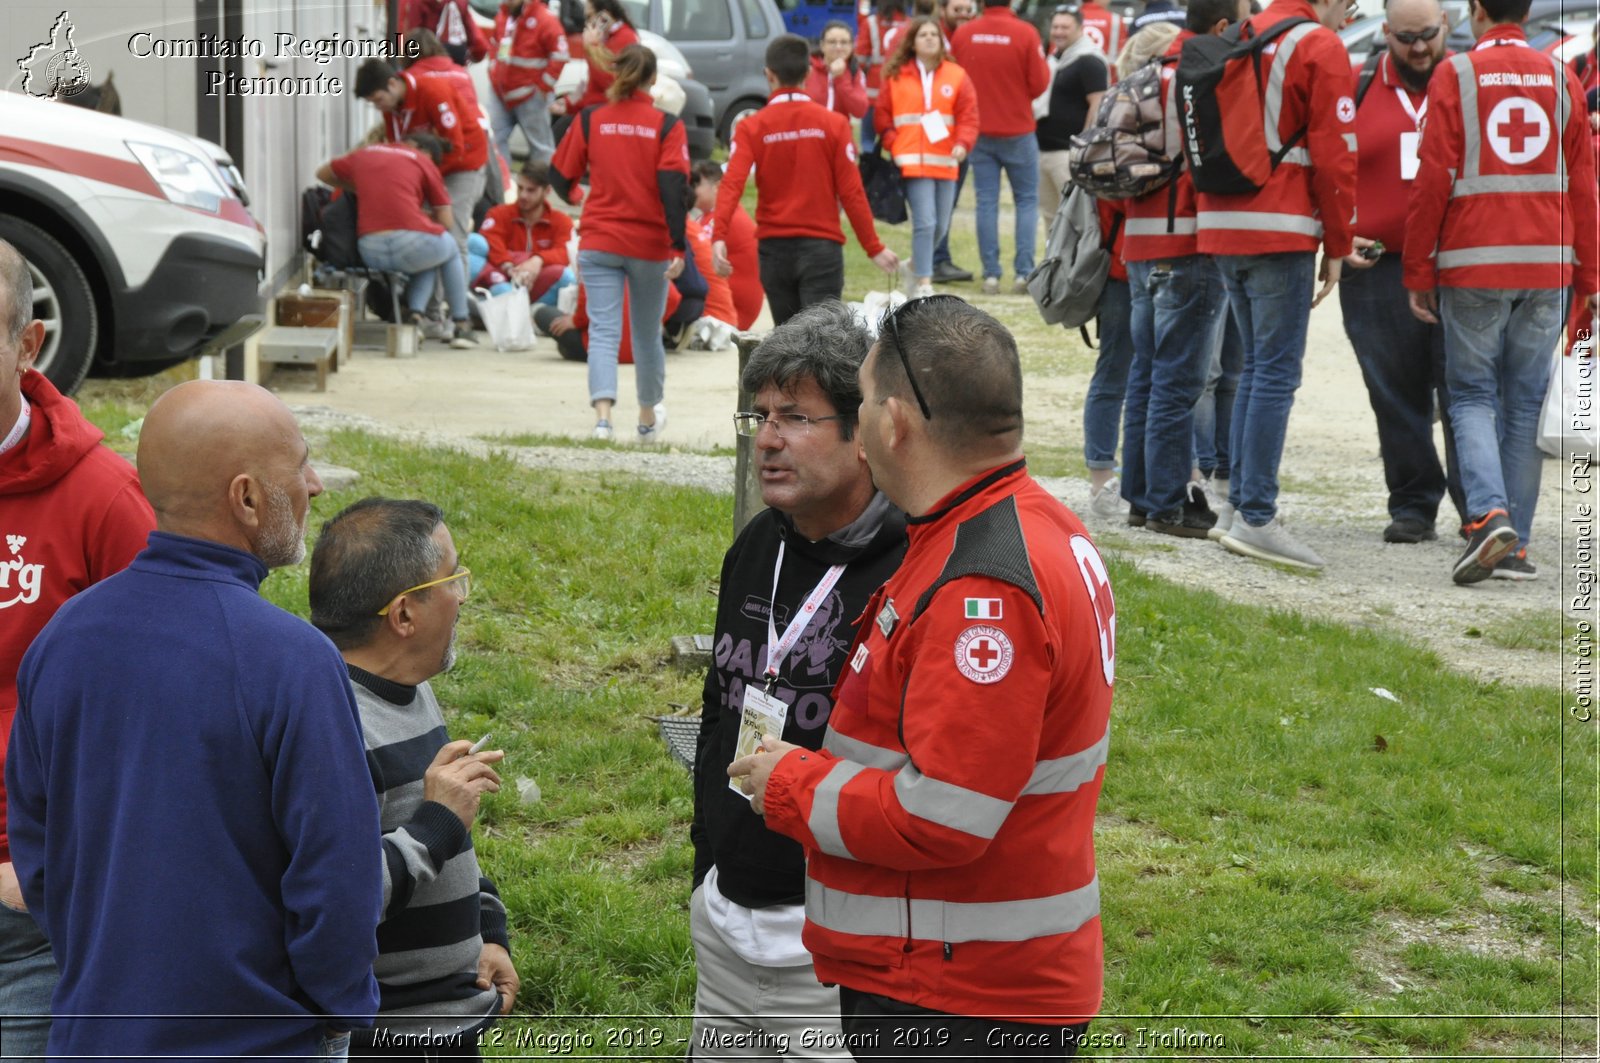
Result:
[{"x": 388, "y": 587}]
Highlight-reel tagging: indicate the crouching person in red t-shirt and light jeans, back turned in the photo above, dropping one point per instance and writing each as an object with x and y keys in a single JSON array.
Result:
[{"x": 391, "y": 185}]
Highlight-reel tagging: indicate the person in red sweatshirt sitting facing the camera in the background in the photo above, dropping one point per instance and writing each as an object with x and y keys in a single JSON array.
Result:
[{"x": 526, "y": 243}]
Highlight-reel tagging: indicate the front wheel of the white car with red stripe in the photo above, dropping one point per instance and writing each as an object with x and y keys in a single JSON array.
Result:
[{"x": 63, "y": 300}]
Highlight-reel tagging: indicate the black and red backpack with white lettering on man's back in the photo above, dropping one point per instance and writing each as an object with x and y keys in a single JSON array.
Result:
[{"x": 1218, "y": 87}]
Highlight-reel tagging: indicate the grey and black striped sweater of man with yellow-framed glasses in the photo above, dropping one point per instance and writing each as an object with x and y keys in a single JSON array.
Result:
[{"x": 438, "y": 909}]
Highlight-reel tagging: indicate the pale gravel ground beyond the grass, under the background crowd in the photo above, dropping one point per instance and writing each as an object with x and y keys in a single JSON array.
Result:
[{"x": 1334, "y": 494}]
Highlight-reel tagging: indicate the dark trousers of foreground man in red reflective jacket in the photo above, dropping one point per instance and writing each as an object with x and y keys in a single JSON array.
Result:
[{"x": 878, "y": 1027}]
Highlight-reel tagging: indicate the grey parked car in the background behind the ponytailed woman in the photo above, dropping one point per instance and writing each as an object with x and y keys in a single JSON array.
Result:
[{"x": 726, "y": 44}]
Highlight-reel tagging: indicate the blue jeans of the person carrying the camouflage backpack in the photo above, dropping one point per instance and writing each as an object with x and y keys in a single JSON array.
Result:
[{"x": 1178, "y": 310}]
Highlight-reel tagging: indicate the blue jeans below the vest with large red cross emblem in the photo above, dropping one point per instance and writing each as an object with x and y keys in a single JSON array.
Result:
[{"x": 1498, "y": 347}]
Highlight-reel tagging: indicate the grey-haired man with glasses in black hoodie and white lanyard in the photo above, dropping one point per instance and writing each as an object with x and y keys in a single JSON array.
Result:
[{"x": 793, "y": 585}]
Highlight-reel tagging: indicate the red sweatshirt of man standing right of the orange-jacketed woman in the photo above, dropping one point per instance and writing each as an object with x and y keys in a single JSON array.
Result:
[{"x": 1002, "y": 55}]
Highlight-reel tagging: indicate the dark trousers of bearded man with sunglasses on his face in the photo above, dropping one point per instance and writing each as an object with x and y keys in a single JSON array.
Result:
[{"x": 1404, "y": 366}]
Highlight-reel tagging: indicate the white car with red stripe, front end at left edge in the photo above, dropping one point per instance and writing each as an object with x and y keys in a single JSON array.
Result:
[{"x": 138, "y": 239}]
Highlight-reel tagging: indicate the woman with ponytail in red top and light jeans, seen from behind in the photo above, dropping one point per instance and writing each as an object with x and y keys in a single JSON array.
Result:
[{"x": 631, "y": 235}]
